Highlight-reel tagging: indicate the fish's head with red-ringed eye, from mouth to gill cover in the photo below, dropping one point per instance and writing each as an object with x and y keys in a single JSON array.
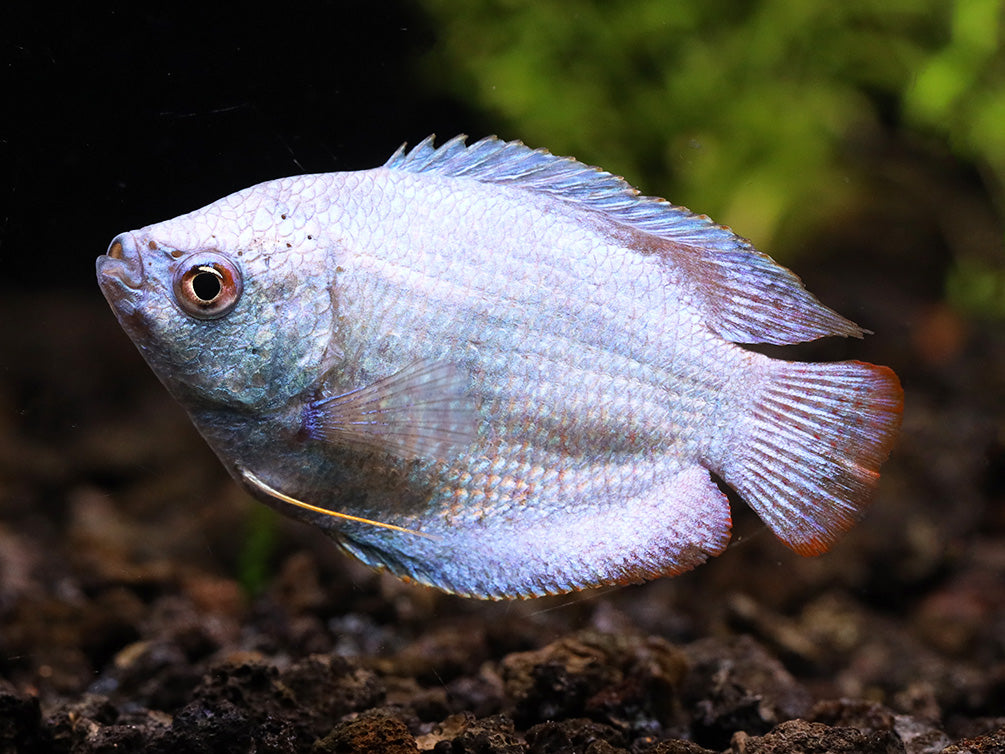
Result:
[{"x": 225, "y": 324}]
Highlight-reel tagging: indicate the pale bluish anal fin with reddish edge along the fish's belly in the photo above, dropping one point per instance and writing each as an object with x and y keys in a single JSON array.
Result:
[{"x": 597, "y": 537}]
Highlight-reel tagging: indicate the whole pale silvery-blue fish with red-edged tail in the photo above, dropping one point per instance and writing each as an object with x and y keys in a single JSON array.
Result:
[{"x": 503, "y": 373}]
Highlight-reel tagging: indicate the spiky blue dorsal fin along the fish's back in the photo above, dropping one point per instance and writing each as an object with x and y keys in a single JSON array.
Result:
[{"x": 745, "y": 295}]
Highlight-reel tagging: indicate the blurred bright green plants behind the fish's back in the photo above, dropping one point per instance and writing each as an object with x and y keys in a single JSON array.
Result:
[{"x": 749, "y": 112}]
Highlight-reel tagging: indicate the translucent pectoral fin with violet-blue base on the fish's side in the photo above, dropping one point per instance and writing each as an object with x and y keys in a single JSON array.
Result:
[{"x": 424, "y": 412}]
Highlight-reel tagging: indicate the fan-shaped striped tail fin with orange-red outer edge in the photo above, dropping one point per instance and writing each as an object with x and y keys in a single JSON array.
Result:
[{"x": 811, "y": 459}]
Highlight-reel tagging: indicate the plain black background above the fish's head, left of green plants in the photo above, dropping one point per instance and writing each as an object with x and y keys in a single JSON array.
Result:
[{"x": 116, "y": 119}]
